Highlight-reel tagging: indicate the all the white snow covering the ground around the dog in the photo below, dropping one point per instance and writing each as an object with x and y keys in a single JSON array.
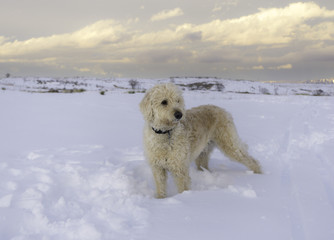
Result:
[{"x": 72, "y": 167}]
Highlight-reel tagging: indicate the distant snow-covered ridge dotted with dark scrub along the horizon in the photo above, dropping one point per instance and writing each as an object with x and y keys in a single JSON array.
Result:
[{"x": 128, "y": 85}]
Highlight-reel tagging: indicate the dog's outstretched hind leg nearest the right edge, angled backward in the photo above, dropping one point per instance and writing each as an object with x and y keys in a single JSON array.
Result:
[{"x": 228, "y": 141}]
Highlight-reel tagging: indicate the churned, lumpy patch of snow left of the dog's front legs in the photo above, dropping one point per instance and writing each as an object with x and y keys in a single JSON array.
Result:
[{"x": 68, "y": 194}]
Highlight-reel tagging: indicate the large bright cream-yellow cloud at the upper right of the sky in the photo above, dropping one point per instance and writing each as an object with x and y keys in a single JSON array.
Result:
[{"x": 271, "y": 26}]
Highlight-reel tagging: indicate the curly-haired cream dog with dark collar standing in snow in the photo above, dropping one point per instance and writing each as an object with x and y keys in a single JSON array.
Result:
[{"x": 174, "y": 137}]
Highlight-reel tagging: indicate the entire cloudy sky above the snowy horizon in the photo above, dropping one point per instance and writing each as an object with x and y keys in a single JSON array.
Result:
[{"x": 239, "y": 39}]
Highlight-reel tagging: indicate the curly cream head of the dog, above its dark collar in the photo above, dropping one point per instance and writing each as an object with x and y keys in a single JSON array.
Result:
[{"x": 163, "y": 106}]
